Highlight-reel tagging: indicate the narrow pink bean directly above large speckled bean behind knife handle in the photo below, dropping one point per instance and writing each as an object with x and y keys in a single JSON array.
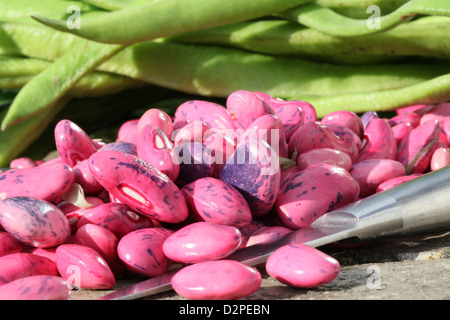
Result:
[{"x": 324, "y": 155}]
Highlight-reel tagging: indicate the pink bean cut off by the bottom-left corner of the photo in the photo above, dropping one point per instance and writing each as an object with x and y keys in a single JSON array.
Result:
[{"x": 39, "y": 287}]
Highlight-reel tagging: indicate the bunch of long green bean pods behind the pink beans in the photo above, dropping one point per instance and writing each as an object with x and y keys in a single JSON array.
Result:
[{"x": 338, "y": 55}]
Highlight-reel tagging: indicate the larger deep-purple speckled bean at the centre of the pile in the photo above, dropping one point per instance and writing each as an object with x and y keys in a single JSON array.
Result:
[{"x": 254, "y": 170}]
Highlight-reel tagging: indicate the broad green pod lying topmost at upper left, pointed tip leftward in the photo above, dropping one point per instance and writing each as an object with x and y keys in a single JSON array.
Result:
[{"x": 165, "y": 18}]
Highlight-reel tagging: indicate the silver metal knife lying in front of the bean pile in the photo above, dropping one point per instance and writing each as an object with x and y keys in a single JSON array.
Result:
[{"x": 419, "y": 205}]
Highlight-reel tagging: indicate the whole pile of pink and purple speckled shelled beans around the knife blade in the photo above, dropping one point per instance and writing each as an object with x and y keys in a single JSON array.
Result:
[{"x": 186, "y": 191}]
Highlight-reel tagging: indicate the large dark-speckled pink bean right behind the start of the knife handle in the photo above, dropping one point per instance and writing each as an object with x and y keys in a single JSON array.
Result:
[{"x": 310, "y": 193}]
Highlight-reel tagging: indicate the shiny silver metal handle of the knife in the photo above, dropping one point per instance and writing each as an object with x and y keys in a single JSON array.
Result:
[{"x": 416, "y": 206}]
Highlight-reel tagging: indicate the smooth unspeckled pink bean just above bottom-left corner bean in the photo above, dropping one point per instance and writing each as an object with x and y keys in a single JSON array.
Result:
[{"x": 83, "y": 267}]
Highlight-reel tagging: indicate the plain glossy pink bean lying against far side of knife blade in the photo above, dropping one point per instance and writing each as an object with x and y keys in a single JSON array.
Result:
[{"x": 202, "y": 241}]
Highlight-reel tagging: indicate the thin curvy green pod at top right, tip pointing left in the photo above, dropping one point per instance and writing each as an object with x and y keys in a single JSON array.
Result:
[{"x": 332, "y": 23}]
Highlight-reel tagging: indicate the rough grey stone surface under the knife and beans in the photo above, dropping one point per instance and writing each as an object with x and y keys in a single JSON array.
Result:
[{"x": 408, "y": 268}]
